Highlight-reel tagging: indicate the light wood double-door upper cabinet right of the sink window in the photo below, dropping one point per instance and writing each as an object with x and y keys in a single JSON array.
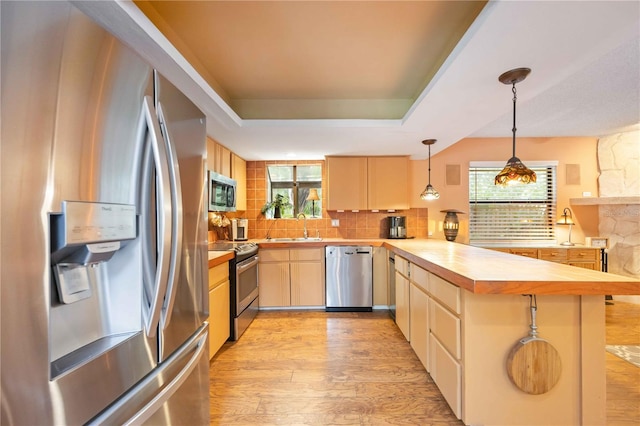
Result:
[{"x": 367, "y": 183}]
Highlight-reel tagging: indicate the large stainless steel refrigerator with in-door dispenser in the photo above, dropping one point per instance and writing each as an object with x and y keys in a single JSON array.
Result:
[{"x": 103, "y": 230}]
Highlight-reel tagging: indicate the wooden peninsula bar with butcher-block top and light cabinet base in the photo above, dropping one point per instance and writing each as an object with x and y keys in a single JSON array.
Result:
[{"x": 465, "y": 310}]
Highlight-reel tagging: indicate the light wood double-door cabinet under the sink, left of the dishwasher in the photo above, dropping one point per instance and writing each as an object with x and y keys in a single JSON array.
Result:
[{"x": 291, "y": 277}]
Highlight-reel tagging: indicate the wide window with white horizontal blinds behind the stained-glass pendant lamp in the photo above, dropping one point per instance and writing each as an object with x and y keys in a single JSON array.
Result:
[{"x": 523, "y": 213}]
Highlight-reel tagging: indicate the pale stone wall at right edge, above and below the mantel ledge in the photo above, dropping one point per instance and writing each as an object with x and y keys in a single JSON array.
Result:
[{"x": 619, "y": 163}]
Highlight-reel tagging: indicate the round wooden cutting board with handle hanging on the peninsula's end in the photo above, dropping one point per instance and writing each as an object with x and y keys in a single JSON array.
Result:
[{"x": 534, "y": 365}]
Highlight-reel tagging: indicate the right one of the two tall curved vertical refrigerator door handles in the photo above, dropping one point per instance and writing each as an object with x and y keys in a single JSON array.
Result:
[{"x": 176, "y": 220}]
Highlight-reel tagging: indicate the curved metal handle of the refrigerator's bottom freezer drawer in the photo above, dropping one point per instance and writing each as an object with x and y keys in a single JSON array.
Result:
[{"x": 145, "y": 398}]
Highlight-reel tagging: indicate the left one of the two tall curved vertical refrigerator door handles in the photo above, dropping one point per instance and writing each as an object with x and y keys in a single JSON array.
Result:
[{"x": 163, "y": 227}]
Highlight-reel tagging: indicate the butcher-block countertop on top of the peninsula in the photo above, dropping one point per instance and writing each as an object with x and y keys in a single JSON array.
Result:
[{"x": 484, "y": 271}]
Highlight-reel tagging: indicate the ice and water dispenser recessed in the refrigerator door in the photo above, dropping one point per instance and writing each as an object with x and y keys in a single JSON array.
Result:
[{"x": 95, "y": 301}]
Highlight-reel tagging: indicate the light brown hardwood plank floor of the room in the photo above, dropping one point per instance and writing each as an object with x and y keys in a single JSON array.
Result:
[{"x": 317, "y": 368}]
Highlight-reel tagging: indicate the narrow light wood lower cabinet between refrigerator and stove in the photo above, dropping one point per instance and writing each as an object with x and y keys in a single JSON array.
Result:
[{"x": 219, "y": 308}]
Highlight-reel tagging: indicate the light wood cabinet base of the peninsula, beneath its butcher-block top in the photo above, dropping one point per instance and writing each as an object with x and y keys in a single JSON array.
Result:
[{"x": 463, "y": 340}]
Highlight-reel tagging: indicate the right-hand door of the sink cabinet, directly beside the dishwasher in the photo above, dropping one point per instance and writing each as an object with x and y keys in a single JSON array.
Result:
[{"x": 307, "y": 284}]
